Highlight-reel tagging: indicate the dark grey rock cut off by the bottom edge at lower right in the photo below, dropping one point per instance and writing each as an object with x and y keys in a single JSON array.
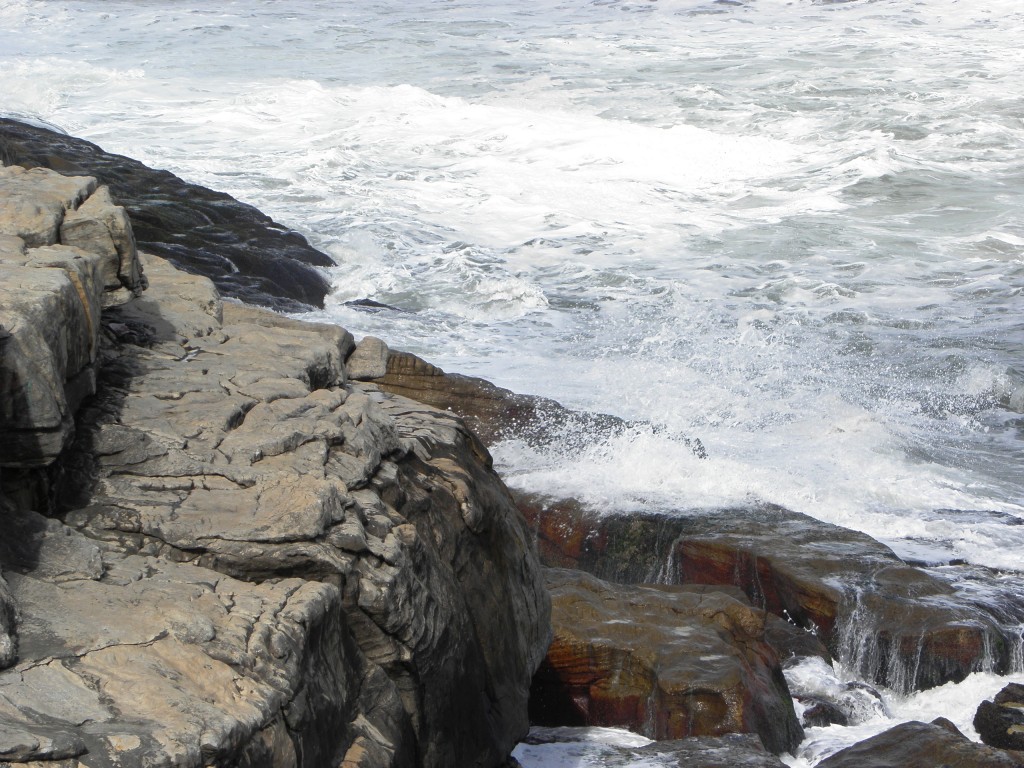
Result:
[{"x": 918, "y": 745}]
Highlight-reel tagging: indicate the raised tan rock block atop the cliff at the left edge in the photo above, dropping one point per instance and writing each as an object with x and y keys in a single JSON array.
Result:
[{"x": 66, "y": 252}]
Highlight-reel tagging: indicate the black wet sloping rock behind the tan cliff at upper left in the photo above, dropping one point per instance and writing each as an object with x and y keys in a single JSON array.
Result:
[{"x": 246, "y": 254}]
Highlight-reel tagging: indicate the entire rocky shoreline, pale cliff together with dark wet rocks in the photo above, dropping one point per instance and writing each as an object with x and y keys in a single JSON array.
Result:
[{"x": 228, "y": 537}]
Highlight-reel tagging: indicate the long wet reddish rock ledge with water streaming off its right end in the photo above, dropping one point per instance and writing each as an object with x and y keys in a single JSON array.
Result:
[{"x": 895, "y": 625}]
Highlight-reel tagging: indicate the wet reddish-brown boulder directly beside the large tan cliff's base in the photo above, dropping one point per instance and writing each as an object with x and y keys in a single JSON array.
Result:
[{"x": 665, "y": 662}]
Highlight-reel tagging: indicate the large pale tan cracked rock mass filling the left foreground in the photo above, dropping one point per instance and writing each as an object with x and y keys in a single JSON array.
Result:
[{"x": 230, "y": 553}]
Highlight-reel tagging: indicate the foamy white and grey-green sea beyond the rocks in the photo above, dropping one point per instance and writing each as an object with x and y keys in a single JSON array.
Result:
[{"x": 791, "y": 229}]
